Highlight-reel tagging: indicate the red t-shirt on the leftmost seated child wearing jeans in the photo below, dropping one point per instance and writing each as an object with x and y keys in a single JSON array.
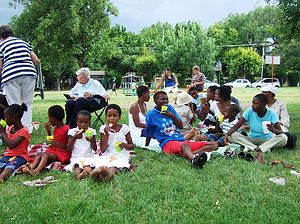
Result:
[{"x": 22, "y": 148}]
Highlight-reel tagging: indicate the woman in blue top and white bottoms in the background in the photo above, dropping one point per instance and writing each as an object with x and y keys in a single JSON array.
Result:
[{"x": 170, "y": 81}]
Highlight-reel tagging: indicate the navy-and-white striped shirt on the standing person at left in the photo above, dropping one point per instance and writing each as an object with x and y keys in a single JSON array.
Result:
[{"x": 15, "y": 54}]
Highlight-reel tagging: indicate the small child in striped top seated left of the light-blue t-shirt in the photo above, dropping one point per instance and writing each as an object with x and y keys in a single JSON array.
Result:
[{"x": 230, "y": 119}]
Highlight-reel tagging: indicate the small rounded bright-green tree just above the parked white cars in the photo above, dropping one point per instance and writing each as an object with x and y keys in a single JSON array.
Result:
[{"x": 242, "y": 62}]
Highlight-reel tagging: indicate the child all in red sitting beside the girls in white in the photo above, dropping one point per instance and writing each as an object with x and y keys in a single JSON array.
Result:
[{"x": 57, "y": 150}]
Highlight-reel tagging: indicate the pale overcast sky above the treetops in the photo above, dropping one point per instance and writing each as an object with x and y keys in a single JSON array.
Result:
[{"x": 138, "y": 14}]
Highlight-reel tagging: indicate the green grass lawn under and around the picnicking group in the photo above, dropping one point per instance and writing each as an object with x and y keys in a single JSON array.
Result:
[{"x": 164, "y": 189}]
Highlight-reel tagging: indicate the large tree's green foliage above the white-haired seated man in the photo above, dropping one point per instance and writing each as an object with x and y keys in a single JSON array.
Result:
[{"x": 60, "y": 38}]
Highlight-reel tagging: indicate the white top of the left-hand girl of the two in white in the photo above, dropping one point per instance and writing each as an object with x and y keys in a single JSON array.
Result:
[{"x": 82, "y": 147}]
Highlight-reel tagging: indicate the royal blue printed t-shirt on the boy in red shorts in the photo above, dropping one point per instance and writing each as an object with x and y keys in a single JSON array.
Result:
[{"x": 162, "y": 127}]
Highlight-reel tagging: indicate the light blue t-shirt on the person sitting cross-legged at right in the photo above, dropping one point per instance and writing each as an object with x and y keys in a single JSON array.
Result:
[{"x": 255, "y": 122}]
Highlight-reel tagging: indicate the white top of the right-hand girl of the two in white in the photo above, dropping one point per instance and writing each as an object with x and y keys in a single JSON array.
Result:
[{"x": 114, "y": 137}]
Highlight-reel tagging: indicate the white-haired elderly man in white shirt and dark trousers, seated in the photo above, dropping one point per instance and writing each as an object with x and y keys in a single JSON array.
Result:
[{"x": 84, "y": 96}]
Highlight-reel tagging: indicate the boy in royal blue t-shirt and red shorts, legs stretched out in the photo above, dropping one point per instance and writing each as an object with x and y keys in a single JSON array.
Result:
[{"x": 163, "y": 122}]
